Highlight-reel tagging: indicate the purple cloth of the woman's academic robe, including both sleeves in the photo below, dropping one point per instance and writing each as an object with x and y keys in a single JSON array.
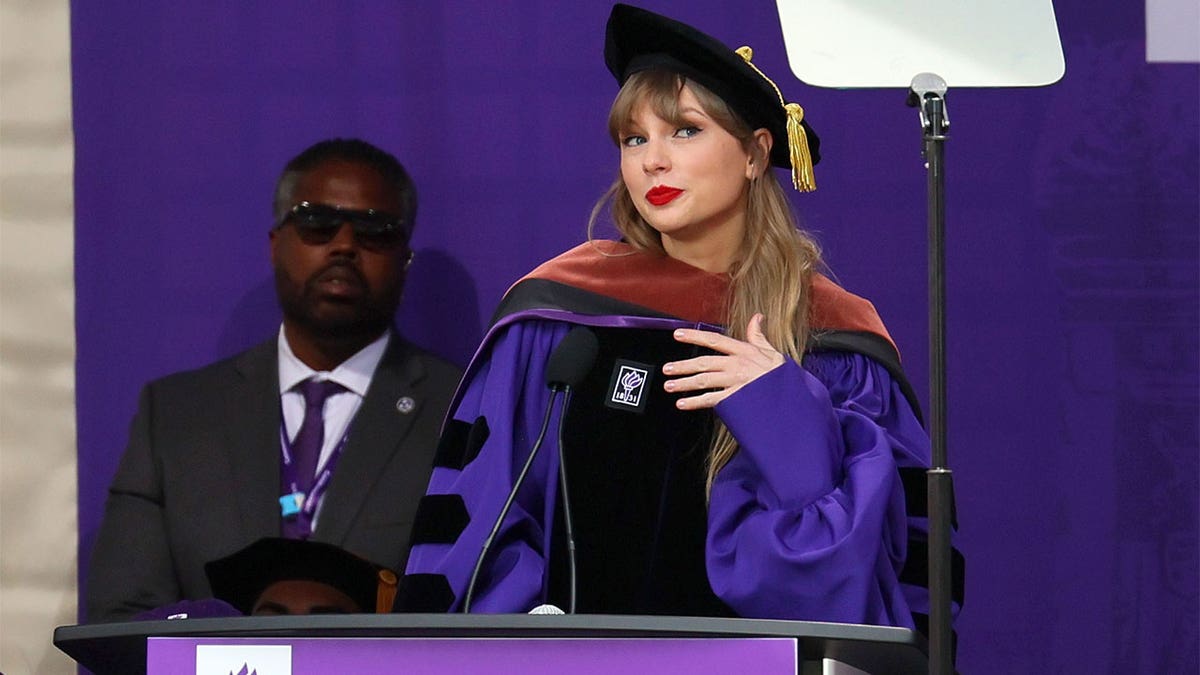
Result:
[{"x": 807, "y": 522}]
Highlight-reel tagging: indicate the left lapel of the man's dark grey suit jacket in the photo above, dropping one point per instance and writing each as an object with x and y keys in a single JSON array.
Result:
[{"x": 253, "y": 440}]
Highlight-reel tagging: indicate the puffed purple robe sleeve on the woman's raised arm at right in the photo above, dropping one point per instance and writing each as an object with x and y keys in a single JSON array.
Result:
[{"x": 807, "y": 521}]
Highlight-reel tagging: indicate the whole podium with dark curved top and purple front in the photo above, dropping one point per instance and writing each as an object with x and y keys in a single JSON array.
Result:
[{"x": 491, "y": 644}]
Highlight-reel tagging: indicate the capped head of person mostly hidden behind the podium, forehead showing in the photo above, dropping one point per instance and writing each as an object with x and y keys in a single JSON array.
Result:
[{"x": 291, "y": 577}]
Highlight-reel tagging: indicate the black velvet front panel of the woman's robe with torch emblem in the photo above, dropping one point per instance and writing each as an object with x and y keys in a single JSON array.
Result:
[{"x": 637, "y": 486}]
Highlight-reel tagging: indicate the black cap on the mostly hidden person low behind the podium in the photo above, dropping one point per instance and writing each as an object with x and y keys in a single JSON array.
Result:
[{"x": 241, "y": 578}]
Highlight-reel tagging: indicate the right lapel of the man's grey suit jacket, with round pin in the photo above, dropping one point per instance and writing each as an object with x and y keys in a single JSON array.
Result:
[{"x": 376, "y": 435}]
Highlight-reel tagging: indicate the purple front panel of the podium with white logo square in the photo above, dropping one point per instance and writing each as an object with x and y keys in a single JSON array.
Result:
[{"x": 488, "y": 656}]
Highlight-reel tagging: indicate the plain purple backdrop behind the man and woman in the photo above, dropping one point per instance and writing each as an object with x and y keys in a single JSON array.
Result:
[{"x": 1072, "y": 255}]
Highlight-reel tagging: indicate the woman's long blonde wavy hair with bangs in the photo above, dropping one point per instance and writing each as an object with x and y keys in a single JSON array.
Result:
[{"x": 772, "y": 273}]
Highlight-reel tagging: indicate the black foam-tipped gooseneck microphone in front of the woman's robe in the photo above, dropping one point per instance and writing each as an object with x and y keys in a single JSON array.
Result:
[{"x": 567, "y": 367}]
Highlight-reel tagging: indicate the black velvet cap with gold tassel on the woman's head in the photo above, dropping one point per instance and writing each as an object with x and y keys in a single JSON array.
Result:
[{"x": 639, "y": 40}]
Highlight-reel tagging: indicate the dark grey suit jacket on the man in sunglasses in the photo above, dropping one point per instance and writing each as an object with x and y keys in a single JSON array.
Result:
[{"x": 201, "y": 475}]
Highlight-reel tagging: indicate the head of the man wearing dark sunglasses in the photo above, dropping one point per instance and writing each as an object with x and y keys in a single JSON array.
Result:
[{"x": 340, "y": 248}]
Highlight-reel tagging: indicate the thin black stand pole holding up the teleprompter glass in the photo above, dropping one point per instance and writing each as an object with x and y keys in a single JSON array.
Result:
[{"x": 928, "y": 94}]
